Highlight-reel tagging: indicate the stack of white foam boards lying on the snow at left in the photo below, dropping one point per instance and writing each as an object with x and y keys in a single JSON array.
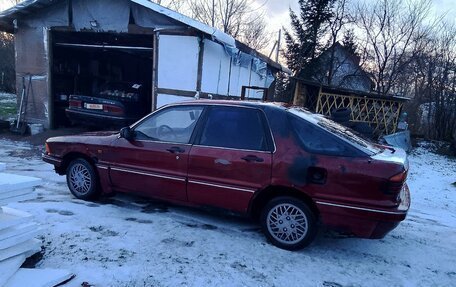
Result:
[{"x": 17, "y": 236}]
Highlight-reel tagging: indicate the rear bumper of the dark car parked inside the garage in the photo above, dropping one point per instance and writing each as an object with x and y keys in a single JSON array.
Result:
[{"x": 96, "y": 119}]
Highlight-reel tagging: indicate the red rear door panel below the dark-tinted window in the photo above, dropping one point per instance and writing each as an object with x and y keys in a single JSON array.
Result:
[{"x": 220, "y": 178}]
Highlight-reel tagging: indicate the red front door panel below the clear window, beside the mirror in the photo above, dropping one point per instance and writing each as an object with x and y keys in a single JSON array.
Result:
[{"x": 148, "y": 167}]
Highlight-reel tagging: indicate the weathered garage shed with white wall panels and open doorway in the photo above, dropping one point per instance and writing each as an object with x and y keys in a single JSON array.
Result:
[{"x": 68, "y": 47}]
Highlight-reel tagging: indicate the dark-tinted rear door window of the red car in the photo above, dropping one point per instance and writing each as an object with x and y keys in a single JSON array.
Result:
[{"x": 231, "y": 127}]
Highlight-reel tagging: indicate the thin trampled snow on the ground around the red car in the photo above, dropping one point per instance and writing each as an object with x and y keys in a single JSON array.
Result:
[{"x": 131, "y": 241}]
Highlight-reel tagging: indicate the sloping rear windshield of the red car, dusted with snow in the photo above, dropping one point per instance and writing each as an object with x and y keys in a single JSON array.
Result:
[{"x": 341, "y": 131}]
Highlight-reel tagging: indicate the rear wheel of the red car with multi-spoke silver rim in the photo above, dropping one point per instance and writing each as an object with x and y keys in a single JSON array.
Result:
[{"x": 293, "y": 233}]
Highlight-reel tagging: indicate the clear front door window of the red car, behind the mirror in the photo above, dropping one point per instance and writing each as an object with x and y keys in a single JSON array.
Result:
[{"x": 175, "y": 124}]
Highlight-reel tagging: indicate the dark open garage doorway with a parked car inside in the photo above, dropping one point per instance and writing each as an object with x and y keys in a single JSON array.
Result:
[{"x": 105, "y": 77}]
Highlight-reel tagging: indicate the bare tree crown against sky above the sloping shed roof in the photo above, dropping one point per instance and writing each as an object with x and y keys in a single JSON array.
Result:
[{"x": 234, "y": 17}]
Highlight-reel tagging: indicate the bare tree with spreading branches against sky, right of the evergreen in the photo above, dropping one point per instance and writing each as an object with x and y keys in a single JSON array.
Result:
[{"x": 390, "y": 31}]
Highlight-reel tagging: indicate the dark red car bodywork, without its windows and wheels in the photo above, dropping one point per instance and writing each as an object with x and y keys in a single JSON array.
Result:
[{"x": 347, "y": 192}]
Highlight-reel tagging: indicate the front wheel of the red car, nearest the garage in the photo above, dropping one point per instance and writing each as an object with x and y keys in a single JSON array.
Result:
[{"x": 82, "y": 180}]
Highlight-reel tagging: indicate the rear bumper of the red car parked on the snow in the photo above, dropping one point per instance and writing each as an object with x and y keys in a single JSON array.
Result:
[{"x": 365, "y": 222}]
